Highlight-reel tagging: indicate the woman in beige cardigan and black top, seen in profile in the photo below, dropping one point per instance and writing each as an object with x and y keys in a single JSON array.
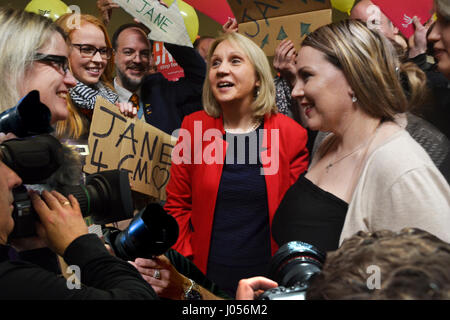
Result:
[{"x": 368, "y": 174}]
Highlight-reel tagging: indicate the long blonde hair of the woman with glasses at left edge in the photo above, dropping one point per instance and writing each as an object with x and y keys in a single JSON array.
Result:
[{"x": 22, "y": 34}]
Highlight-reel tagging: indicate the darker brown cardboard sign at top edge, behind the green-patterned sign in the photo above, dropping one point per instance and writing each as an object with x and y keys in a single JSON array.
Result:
[{"x": 252, "y": 10}]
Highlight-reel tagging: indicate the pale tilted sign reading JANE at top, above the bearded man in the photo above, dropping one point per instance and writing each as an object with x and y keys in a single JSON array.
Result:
[{"x": 166, "y": 24}]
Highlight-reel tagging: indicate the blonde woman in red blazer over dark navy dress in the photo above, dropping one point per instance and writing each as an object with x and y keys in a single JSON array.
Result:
[{"x": 232, "y": 165}]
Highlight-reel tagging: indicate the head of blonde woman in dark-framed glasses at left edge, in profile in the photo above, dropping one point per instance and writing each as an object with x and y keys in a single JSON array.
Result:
[{"x": 33, "y": 57}]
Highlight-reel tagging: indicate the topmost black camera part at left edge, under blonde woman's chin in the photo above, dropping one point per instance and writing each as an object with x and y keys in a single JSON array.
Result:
[{"x": 29, "y": 117}]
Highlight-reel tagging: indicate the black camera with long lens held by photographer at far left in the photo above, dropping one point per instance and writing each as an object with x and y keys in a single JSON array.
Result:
[{"x": 106, "y": 196}]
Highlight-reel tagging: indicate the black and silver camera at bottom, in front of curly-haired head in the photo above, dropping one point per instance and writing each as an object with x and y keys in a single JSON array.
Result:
[{"x": 293, "y": 266}]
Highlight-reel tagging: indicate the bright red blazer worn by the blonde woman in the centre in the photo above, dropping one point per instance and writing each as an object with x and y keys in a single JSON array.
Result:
[{"x": 193, "y": 184}]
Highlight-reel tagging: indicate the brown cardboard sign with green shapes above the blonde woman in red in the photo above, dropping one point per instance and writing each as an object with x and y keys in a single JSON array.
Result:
[{"x": 267, "y": 34}]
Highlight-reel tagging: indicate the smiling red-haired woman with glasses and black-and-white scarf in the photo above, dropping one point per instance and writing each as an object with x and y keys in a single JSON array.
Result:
[{"x": 92, "y": 65}]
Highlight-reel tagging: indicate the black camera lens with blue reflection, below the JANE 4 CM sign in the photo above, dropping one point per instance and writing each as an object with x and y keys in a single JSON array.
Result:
[{"x": 151, "y": 232}]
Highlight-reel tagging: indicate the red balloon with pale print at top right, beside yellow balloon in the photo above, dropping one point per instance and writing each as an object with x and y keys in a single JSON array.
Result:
[{"x": 401, "y": 13}]
